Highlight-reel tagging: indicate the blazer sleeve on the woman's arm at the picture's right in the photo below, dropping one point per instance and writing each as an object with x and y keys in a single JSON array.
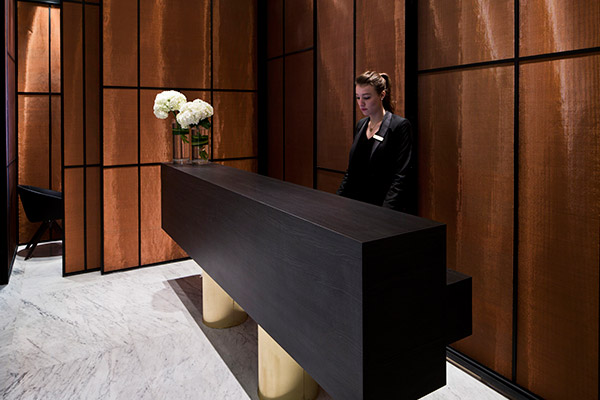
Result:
[{"x": 398, "y": 196}]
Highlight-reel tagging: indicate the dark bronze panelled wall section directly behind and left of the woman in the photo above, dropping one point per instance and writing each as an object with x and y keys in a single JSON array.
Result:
[{"x": 314, "y": 51}]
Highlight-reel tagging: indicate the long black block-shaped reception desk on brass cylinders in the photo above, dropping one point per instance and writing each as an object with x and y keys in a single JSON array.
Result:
[{"x": 355, "y": 293}]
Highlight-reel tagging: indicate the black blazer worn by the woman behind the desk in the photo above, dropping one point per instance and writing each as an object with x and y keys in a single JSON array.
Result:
[{"x": 389, "y": 170}]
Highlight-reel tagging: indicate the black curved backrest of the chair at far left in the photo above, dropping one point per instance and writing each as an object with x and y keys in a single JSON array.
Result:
[{"x": 41, "y": 204}]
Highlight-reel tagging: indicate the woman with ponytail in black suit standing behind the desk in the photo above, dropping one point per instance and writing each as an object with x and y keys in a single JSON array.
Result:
[{"x": 380, "y": 156}]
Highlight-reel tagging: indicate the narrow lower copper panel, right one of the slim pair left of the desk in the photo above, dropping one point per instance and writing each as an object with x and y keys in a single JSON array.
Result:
[{"x": 93, "y": 212}]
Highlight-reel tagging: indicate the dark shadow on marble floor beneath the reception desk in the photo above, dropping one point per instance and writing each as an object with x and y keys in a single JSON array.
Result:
[{"x": 237, "y": 346}]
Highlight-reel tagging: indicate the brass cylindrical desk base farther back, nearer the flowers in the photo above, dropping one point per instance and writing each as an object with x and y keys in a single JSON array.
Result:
[{"x": 218, "y": 308}]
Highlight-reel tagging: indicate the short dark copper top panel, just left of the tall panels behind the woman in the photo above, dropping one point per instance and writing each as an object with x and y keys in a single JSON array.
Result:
[{"x": 298, "y": 25}]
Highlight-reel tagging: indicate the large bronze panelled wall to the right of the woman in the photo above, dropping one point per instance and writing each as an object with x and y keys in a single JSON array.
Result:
[{"x": 509, "y": 159}]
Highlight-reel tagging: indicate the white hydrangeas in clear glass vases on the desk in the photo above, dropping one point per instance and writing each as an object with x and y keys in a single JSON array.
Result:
[{"x": 193, "y": 114}]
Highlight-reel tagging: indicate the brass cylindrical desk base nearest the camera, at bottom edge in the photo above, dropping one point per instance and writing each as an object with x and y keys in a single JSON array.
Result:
[{"x": 280, "y": 377}]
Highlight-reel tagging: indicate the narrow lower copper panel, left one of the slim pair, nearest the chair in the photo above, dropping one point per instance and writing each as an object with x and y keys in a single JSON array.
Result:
[{"x": 74, "y": 244}]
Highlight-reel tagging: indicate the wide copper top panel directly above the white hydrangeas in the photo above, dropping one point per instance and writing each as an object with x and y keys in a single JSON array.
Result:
[{"x": 175, "y": 44}]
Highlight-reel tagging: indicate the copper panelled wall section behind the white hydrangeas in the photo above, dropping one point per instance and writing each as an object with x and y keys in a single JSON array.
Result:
[{"x": 205, "y": 49}]
